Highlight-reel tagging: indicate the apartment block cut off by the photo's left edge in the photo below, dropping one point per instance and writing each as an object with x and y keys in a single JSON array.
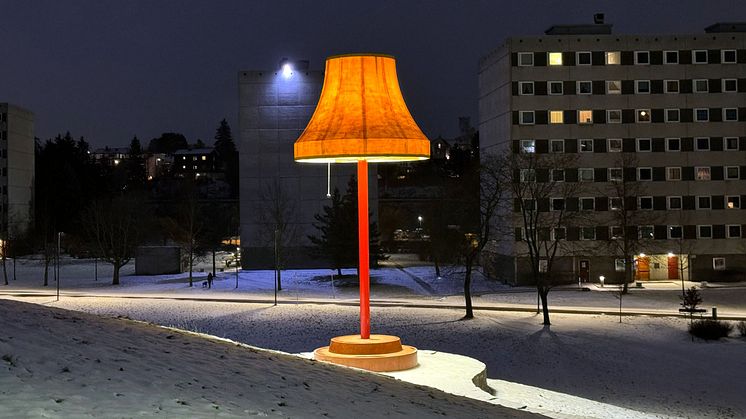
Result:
[{"x": 16, "y": 169}]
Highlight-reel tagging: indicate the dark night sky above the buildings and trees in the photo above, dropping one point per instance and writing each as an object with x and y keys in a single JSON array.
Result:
[{"x": 109, "y": 70}]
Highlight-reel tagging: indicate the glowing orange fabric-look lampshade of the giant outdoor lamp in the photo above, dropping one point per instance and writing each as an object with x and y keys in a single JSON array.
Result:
[{"x": 361, "y": 115}]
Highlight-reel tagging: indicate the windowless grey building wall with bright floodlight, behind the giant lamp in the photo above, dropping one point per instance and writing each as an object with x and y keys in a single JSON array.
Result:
[{"x": 274, "y": 108}]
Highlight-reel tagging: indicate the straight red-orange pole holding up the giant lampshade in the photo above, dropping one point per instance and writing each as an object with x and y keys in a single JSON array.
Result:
[{"x": 363, "y": 243}]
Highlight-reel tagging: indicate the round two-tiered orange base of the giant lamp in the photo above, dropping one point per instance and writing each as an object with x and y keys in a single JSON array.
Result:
[{"x": 381, "y": 353}]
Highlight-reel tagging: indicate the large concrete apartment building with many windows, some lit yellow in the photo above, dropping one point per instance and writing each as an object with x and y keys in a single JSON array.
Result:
[{"x": 673, "y": 104}]
